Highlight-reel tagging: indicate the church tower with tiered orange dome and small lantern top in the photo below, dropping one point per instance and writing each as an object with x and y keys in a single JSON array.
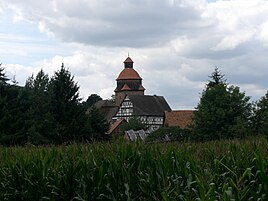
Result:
[{"x": 129, "y": 82}]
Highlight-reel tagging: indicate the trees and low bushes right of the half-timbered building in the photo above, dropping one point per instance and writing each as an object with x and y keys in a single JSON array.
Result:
[{"x": 224, "y": 112}]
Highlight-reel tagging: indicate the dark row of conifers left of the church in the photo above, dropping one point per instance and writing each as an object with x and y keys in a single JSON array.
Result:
[{"x": 46, "y": 110}]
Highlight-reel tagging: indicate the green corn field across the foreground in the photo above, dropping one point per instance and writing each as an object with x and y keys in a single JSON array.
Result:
[{"x": 223, "y": 170}]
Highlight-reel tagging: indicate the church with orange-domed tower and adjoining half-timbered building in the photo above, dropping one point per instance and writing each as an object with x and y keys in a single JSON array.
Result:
[{"x": 131, "y": 102}]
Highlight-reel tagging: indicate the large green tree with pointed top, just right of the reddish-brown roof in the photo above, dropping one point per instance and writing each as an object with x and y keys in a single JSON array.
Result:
[{"x": 223, "y": 111}]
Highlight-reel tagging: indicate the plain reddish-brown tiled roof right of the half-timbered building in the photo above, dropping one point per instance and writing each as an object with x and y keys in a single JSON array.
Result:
[{"x": 180, "y": 118}]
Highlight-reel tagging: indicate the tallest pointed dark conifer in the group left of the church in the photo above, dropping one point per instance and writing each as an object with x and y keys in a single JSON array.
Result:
[{"x": 64, "y": 105}]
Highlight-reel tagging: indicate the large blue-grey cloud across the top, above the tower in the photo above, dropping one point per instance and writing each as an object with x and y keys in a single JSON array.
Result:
[{"x": 116, "y": 23}]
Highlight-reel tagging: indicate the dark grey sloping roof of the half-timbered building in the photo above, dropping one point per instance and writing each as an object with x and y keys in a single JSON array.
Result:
[{"x": 149, "y": 105}]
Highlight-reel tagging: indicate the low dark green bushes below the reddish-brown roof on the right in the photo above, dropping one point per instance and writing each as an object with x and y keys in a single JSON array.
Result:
[{"x": 169, "y": 133}]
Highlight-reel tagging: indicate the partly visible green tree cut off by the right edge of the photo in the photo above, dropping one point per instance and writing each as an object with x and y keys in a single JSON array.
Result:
[{"x": 261, "y": 116}]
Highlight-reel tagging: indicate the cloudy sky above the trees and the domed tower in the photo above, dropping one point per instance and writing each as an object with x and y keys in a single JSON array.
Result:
[{"x": 175, "y": 44}]
